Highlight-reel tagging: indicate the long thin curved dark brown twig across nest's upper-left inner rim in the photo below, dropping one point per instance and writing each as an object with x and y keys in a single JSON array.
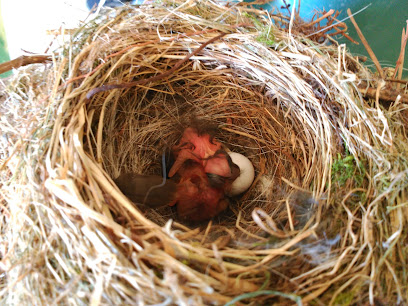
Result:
[{"x": 156, "y": 77}]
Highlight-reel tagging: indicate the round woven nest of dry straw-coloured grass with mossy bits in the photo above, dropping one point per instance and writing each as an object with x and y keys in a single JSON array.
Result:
[{"x": 323, "y": 222}]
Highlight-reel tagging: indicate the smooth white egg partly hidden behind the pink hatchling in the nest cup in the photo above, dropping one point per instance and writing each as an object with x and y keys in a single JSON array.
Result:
[{"x": 246, "y": 176}]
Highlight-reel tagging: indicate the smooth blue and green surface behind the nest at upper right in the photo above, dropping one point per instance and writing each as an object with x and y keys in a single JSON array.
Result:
[{"x": 381, "y": 23}]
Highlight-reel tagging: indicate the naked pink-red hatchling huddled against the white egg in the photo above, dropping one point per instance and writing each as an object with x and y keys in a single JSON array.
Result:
[{"x": 197, "y": 158}]
